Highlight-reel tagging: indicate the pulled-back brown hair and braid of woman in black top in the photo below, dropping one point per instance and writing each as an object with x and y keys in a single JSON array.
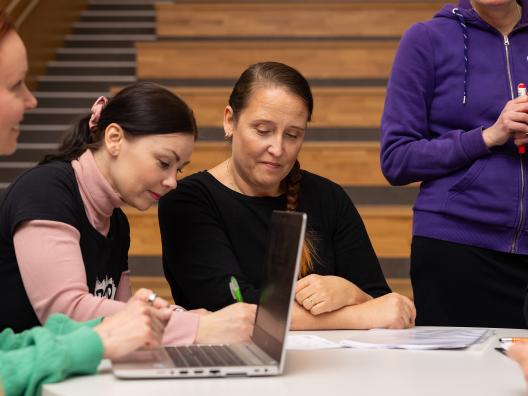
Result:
[{"x": 275, "y": 74}]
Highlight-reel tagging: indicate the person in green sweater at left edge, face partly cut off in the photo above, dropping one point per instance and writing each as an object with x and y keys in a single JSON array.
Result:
[{"x": 62, "y": 347}]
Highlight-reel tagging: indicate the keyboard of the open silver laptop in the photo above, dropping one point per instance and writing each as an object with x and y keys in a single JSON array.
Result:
[{"x": 204, "y": 356}]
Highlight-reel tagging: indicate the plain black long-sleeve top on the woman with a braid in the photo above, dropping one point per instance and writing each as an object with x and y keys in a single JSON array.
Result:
[{"x": 210, "y": 233}]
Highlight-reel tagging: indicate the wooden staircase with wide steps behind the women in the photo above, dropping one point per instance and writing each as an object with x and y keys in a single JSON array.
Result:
[{"x": 198, "y": 48}]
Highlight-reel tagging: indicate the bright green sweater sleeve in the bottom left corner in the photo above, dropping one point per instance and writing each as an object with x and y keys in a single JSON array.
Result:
[{"x": 46, "y": 355}]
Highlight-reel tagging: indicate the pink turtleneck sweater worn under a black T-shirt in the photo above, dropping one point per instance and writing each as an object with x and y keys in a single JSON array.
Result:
[{"x": 50, "y": 261}]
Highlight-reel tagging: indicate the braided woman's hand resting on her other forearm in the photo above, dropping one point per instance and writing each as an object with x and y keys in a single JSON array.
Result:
[{"x": 326, "y": 293}]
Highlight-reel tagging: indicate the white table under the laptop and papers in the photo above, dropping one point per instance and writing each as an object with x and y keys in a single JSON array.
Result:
[{"x": 337, "y": 372}]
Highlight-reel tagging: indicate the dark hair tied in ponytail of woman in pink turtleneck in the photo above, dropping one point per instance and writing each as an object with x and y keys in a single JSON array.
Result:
[{"x": 141, "y": 109}]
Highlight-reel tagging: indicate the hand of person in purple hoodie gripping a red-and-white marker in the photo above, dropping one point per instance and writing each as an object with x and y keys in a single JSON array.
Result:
[{"x": 512, "y": 122}]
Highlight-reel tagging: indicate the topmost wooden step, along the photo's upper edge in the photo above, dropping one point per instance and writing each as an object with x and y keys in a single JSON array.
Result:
[{"x": 290, "y": 19}]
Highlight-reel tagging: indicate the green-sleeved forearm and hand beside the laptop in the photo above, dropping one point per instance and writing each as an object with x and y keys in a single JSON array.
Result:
[{"x": 62, "y": 347}]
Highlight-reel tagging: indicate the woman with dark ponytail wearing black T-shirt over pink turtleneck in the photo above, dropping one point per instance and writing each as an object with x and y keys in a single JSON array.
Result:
[{"x": 64, "y": 239}]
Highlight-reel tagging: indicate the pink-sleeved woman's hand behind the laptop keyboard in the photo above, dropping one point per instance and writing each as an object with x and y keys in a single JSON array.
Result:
[{"x": 233, "y": 323}]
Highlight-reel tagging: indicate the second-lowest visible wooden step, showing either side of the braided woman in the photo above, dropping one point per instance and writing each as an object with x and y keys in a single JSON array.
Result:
[{"x": 389, "y": 228}]
